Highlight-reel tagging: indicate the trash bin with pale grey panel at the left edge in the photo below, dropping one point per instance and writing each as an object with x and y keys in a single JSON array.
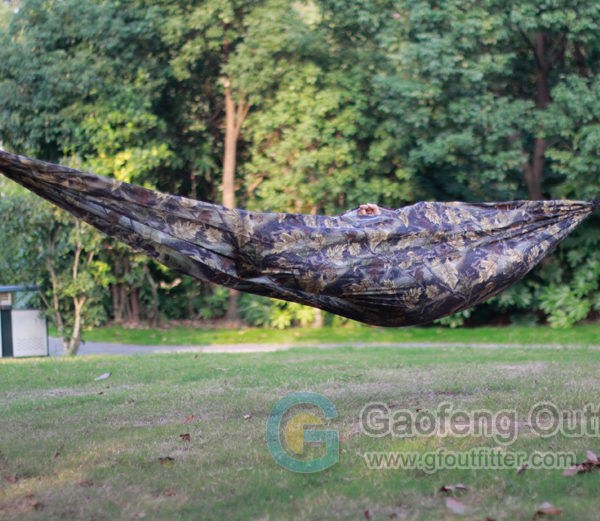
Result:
[{"x": 23, "y": 331}]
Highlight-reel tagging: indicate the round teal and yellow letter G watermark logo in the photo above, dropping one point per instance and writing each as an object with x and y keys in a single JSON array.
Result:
[{"x": 296, "y": 435}]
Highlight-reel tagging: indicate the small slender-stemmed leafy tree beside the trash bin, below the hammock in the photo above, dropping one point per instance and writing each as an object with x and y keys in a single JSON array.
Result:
[{"x": 44, "y": 246}]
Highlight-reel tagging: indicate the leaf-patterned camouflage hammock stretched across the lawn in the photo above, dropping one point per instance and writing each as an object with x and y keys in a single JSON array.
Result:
[{"x": 402, "y": 267}]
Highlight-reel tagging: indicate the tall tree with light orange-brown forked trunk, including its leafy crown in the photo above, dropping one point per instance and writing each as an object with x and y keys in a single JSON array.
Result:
[{"x": 229, "y": 47}]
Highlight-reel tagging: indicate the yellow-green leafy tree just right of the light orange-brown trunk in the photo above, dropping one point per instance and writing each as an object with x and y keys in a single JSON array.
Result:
[{"x": 315, "y": 144}]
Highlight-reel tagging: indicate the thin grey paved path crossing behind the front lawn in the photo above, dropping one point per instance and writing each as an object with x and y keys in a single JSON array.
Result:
[{"x": 104, "y": 348}]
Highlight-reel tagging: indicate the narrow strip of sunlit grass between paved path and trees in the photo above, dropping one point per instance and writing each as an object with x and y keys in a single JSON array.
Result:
[{"x": 584, "y": 335}]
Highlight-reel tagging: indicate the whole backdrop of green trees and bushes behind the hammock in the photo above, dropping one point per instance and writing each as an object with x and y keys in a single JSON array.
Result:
[{"x": 301, "y": 106}]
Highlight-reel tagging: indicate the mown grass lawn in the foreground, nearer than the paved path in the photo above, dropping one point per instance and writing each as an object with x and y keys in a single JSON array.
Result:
[{"x": 74, "y": 448}]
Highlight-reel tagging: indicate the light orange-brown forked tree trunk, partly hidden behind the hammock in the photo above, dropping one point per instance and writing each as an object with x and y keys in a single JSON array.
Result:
[{"x": 234, "y": 118}]
